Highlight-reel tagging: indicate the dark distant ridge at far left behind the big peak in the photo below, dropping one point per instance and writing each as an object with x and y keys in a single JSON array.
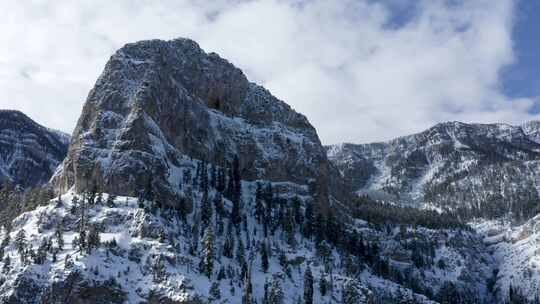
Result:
[{"x": 29, "y": 153}]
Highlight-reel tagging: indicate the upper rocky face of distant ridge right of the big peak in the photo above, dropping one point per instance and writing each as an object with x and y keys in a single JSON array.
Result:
[{"x": 488, "y": 169}]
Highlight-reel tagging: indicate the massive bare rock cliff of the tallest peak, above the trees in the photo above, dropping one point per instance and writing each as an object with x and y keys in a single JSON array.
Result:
[{"x": 158, "y": 100}]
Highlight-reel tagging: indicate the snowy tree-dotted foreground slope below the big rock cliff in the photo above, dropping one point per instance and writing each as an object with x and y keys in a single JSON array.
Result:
[{"x": 151, "y": 254}]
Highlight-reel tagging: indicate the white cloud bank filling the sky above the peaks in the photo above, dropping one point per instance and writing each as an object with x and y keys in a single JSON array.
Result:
[{"x": 355, "y": 68}]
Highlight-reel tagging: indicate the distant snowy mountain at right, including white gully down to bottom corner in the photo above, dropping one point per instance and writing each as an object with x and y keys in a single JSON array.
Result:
[{"x": 483, "y": 174}]
